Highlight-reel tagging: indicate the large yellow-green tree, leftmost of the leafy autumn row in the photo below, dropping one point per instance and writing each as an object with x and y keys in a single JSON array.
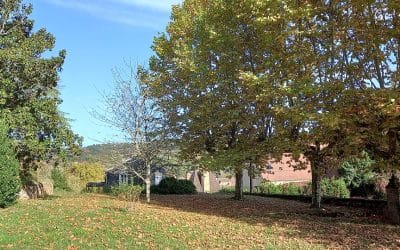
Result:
[{"x": 196, "y": 76}]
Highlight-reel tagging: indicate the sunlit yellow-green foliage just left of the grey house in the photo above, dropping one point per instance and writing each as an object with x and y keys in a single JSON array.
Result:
[{"x": 88, "y": 172}]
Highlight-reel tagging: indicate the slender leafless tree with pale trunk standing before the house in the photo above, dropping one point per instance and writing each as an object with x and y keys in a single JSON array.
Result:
[{"x": 137, "y": 116}]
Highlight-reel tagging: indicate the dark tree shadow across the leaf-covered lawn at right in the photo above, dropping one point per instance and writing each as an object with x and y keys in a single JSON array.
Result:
[{"x": 341, "y": 227}]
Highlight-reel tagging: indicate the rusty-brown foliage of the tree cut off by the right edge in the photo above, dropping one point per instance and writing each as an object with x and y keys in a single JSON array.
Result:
[{"x": 372, "y": 62}]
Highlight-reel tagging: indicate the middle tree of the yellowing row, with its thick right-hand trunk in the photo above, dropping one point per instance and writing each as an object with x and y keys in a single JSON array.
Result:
[{"x": 307, "y": 86}]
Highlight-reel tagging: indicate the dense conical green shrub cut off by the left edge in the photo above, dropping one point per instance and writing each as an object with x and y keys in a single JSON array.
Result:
[{"x": 10, "y": 183}]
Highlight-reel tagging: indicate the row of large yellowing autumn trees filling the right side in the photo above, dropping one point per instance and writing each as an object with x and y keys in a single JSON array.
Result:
[{"x": 241, "y": 81}]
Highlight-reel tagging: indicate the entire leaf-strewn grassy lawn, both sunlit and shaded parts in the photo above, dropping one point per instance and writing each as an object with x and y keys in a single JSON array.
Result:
[{"x": 95, "y": 221}]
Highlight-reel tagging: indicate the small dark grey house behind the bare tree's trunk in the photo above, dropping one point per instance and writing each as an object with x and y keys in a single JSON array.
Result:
[{"x": 125, "y": 173}]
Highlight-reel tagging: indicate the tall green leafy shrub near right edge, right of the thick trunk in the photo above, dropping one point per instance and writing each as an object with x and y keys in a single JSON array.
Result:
[{"x": 358, "y": 172}]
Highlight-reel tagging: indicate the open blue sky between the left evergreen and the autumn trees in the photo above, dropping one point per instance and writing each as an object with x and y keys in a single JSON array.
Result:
[{"x": 98, "y": 35}]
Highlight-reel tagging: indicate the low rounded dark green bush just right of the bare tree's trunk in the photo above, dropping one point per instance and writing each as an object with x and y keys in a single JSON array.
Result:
[{"x": 171, "y": 185}]
